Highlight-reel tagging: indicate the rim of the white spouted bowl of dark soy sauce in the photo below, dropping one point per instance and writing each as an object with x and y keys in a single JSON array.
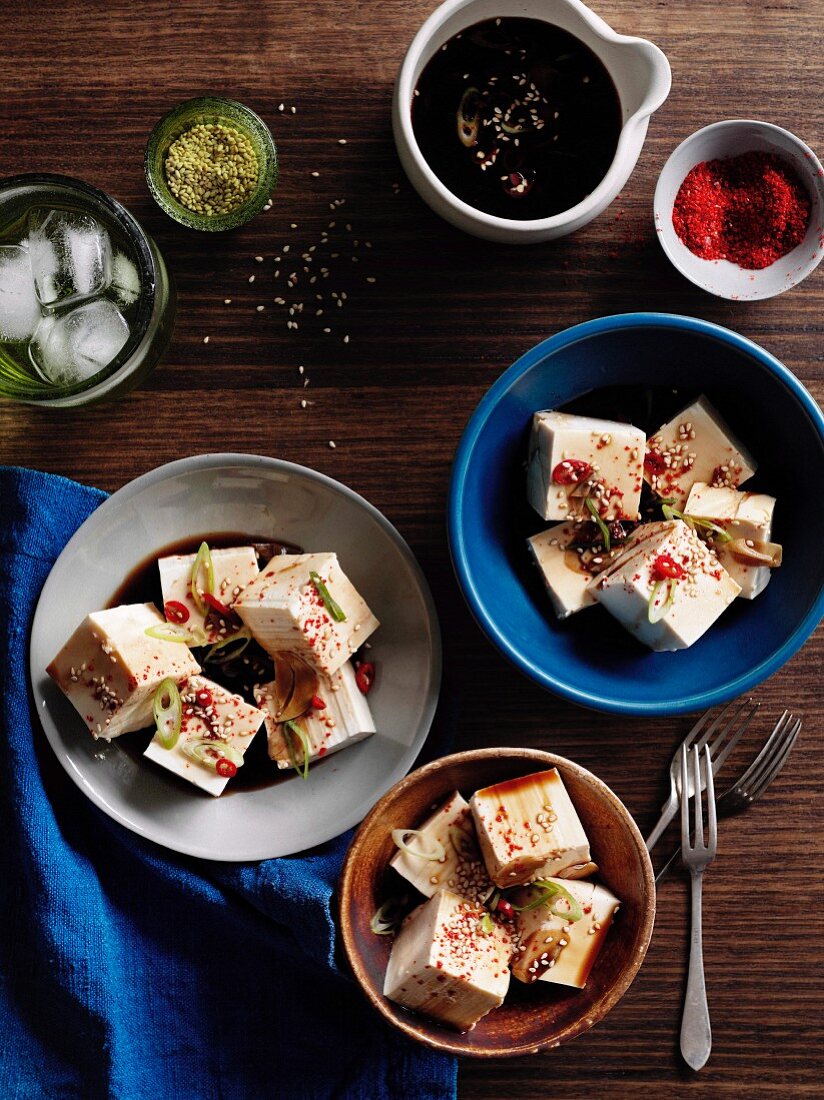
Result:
[{"x": 628, "y": 138}]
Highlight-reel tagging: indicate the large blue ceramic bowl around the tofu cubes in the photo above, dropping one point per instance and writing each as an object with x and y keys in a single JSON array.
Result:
[{"x": 590, "y": 658}]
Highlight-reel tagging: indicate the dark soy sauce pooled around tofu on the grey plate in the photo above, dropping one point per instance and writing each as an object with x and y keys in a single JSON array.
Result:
[{"x": 144, "y": 586}]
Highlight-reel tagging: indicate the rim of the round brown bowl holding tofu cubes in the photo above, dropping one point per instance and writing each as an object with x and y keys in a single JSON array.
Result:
[{"x": 418, "y": 1028}]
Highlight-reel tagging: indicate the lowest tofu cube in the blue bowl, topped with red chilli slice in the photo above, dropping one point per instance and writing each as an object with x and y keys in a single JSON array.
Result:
[{"x": 683, "y": 609}]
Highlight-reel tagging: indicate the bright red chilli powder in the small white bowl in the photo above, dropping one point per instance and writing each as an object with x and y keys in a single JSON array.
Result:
[{"x": 750, "y": 210}]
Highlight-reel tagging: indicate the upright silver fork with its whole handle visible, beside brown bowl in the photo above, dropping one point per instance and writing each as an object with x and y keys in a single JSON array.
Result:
[{"x": 697, "y": 1037}]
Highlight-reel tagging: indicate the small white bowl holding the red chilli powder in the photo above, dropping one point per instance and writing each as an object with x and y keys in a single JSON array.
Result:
[{"x": 720, "y": 277}]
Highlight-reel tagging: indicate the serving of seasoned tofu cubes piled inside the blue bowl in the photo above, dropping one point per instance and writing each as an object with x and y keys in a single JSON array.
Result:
[{"x": 654, "y": 530}]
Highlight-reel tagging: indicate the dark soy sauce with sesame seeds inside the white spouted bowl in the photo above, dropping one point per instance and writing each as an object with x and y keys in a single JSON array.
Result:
[{"x": 518, "y": 118}]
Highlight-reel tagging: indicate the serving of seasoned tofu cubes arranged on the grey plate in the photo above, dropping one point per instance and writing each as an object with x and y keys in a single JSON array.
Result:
[{"x": 280, "y": 645}]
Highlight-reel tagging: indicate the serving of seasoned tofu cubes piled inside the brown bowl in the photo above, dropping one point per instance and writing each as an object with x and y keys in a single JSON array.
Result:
[{"x": 507, "y": 881}]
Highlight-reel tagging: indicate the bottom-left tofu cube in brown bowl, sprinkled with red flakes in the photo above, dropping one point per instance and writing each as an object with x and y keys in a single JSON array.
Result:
[{"x": 446, "y": 966}]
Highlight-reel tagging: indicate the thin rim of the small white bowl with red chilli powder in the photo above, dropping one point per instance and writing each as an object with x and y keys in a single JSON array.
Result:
[{"x": 814, "y": 177}]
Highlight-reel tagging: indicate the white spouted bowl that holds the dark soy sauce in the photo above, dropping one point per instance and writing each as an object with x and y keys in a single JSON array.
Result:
[{"x": 640, "y": 72}]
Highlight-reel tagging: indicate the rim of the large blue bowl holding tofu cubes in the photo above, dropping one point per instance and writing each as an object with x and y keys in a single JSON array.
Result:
[{"x": 617, "y": 323}]
